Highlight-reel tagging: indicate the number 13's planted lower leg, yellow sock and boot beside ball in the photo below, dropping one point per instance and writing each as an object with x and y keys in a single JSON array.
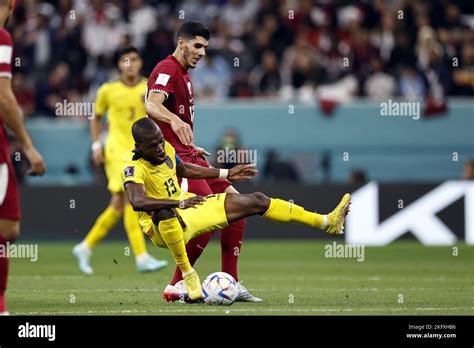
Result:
[{"x": 172, "y": 233}]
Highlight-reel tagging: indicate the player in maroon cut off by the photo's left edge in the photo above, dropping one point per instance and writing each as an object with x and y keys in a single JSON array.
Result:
[{"x": 10, "y": 115}]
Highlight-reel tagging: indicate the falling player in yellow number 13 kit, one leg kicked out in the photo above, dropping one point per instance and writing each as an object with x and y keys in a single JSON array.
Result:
[{"x": 171, "y": 217}]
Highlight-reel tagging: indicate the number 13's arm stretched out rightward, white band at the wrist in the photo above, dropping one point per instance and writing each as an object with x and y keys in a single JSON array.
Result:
[{"x": 193, "y": 171}]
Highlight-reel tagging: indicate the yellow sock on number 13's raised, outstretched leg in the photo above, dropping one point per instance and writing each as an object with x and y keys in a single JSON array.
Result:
[{"x": 283, "y": 211}]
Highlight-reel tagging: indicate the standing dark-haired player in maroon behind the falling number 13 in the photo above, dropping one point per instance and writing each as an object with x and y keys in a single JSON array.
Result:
[{"x": 170, "y": 101}]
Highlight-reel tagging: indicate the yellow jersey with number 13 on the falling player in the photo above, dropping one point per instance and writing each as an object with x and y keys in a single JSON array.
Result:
[{"x": 160, "y": 181}]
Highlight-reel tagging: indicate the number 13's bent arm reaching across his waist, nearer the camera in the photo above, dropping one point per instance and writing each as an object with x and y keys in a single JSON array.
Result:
[{"x": 140, "y": 202}]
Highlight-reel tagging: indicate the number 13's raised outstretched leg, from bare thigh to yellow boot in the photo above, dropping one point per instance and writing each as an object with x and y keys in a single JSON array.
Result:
[{"x": 238, "y": 206}]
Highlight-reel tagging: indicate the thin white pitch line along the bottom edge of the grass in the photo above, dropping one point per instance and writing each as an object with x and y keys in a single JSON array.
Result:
[{"x": 228, "y": 310}]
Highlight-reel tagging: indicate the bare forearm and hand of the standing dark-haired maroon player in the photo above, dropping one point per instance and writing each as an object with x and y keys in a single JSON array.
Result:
[{"x": 156, "y": 110}]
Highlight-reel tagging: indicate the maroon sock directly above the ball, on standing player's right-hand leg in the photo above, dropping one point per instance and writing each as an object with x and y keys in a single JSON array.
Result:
[{"x": 231, "y": 243}]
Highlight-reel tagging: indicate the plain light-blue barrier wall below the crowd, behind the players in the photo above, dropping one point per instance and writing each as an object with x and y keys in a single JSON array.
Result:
[{"x": 390, "y": 149}]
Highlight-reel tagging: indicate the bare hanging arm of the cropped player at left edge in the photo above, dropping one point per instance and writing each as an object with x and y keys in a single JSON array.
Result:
[{"x": 10, "y": 111}]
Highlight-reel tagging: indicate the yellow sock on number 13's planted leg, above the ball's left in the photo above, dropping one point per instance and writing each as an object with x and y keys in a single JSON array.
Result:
[{"x": 172, "y": 234}]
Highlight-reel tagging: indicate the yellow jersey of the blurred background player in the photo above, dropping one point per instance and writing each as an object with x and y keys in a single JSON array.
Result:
[{"x": 124, "y": 105}]
